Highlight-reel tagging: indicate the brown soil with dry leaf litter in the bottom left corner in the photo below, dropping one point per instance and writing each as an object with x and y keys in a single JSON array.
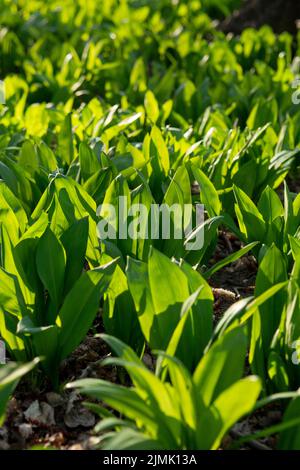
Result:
[{"x": 72, "y": 423}]
